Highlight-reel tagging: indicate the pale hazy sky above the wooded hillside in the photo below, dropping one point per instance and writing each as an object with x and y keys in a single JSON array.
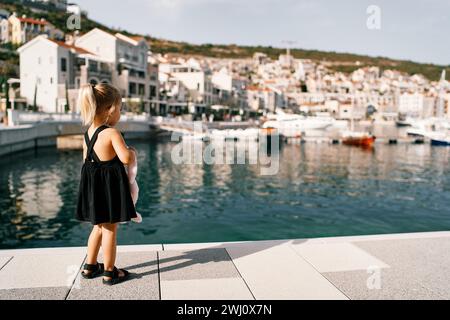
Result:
[{"x": 415, "y": 30}]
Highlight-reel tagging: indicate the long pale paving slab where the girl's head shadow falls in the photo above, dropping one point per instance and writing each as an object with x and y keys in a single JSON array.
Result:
[{"x": 278, "y": 272}]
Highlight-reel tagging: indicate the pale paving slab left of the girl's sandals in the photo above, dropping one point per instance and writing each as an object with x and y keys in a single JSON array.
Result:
[{"x": 40, "y": 271}]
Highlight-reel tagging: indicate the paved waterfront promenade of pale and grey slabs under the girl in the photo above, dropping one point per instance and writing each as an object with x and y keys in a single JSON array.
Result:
[{"x": 396, "y": 266}]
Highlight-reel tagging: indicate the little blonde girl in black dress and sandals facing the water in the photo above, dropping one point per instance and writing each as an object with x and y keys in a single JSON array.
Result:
[{"x": 104, "y": 197}]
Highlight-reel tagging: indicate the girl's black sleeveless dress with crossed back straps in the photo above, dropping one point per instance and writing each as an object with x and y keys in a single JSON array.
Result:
[{"x": 104, "y": 191}]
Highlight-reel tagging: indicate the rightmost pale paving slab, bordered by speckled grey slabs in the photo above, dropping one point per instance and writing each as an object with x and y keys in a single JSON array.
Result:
[{"x": 335, "y": 257}]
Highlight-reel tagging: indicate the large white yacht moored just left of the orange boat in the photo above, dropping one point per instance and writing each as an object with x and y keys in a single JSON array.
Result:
[{"x": 294, "y": 125}]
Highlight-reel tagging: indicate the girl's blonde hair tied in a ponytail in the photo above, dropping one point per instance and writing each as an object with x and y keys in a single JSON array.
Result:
[{"x": 95, "y": 99}]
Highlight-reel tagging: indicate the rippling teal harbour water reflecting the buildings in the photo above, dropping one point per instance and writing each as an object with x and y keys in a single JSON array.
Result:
[{"x": 320, "y": 189}]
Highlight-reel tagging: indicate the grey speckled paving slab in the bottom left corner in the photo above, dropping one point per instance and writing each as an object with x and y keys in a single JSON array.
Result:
[{"x": 50, "y": 293}]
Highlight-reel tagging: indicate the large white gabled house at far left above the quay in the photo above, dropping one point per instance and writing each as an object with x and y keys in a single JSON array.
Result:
[{"x": 51, "y": 71}]
